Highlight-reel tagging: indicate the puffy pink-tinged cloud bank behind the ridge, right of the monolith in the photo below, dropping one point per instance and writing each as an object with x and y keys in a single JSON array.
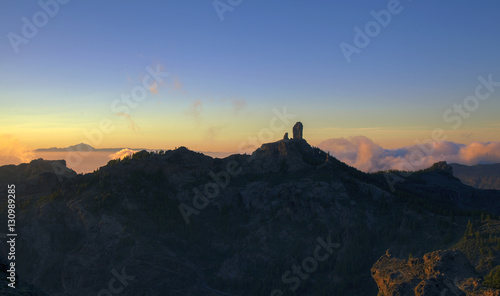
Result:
[{"x": 362, "y": 153}]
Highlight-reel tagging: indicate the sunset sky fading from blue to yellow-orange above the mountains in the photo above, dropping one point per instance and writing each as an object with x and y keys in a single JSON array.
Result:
[{"x": 219, "y": 75}]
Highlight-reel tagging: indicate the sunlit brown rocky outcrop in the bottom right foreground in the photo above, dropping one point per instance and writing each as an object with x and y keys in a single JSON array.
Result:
[{"x": 446, "y": 273}]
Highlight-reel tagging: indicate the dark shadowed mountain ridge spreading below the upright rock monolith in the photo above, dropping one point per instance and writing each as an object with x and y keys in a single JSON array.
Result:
[{"x": 286, "y": 220}]
